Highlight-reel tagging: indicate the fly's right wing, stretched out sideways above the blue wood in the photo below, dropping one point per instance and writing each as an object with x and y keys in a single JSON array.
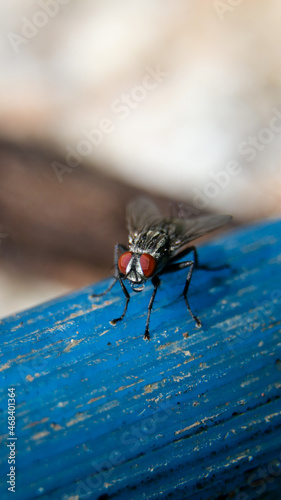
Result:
[{"x": 182, "y": 231}]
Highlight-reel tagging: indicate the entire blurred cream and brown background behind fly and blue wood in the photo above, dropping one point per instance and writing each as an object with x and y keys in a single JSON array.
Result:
[{"x": 101, "y": 101}]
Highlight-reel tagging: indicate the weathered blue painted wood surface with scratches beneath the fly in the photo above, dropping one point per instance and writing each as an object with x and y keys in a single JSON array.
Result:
[{"x": 193, "y": 413}]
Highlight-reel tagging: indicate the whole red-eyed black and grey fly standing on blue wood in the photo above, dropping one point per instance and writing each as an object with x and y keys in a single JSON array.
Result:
[{"x": 155, "y": 245}]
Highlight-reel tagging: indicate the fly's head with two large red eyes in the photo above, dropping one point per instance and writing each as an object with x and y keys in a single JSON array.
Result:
[{"x": 136, "y": 268}]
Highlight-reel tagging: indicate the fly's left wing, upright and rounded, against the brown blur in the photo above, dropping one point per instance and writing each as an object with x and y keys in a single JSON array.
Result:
[{"x": 142, "y": 214}]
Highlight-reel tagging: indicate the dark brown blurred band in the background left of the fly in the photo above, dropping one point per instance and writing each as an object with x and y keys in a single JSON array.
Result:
[{"x": 65, "y": 230}]
